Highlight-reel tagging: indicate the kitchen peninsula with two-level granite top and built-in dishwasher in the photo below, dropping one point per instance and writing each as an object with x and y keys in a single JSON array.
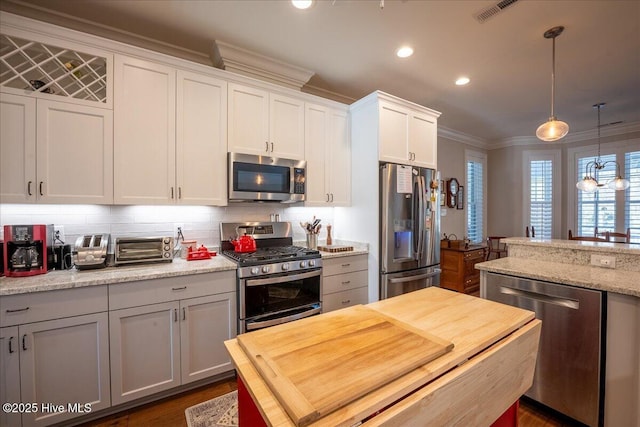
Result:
[{"x": 554, "y": 277}]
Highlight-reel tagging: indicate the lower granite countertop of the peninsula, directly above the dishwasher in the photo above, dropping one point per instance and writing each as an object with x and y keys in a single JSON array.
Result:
[{"x": 605, "y": 279}]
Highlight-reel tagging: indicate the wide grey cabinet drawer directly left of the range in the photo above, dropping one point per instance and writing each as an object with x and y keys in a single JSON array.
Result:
[{"x": 154, "y": 291}]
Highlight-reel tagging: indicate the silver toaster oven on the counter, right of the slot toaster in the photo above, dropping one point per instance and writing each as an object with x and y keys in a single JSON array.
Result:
[{"x": 131, "y": 250}]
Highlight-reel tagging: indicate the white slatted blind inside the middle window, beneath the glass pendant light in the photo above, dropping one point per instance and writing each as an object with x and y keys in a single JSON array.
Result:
[{"x": 541, "y": 197}]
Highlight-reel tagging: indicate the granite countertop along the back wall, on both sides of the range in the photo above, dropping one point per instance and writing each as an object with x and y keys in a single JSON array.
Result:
[{"x": 67, "y": 279}]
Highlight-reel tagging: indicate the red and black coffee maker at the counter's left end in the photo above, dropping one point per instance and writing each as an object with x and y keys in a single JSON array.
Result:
[{"x": 28, "y": 249}]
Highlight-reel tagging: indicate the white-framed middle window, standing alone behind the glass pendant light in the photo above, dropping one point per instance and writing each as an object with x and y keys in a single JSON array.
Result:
[{"x": 541, "y": 178}]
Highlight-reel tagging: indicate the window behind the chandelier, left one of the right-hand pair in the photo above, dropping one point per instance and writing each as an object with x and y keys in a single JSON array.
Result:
[{"x": 597, "y": 209}]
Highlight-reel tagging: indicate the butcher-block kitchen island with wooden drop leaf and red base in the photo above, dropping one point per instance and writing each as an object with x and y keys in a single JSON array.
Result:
[{"x": 493, "y": 355}]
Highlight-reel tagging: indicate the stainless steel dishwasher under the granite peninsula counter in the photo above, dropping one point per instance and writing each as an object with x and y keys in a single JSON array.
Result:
[{"x": 570, "y": 367}]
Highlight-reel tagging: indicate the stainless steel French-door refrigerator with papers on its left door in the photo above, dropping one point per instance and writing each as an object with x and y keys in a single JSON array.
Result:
[{"x": 409, "y": 230}]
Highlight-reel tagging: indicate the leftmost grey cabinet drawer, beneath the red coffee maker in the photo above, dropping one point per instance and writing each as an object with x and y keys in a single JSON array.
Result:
[{"x": 39, "y": 306}]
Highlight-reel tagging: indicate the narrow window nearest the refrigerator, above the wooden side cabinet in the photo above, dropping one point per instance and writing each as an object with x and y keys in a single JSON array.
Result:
[{"x": 475, "y": 184}]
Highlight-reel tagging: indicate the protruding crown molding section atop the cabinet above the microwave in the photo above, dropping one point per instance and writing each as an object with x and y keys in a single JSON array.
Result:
[{"x": 242, "y": 61}]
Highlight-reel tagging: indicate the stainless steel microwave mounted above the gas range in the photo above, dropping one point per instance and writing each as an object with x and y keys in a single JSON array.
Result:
[{"x": 266, "y": 179}]
